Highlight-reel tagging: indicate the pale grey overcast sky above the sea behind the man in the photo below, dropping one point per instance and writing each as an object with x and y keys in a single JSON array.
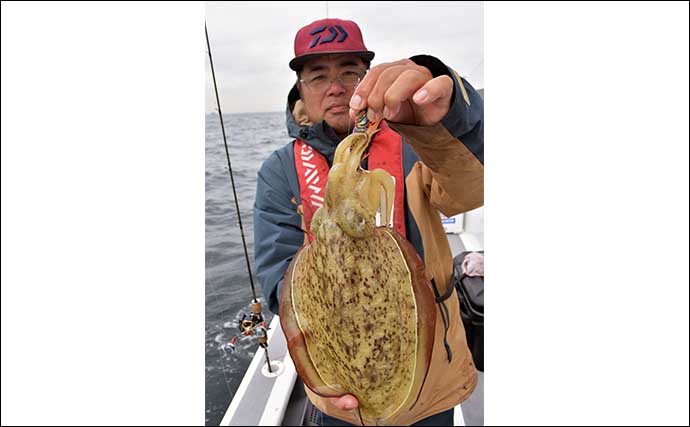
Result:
[{"x": 252, "y": 43}]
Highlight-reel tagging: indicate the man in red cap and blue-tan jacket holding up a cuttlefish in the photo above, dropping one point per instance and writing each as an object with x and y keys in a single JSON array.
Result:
[{"x": 437, "y": 120}]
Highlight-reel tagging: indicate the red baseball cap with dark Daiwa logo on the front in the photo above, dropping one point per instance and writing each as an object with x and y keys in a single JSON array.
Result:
[{"x": 328, "y": 36}]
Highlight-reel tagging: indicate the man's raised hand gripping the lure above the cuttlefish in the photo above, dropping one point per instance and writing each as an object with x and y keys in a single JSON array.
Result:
[{"x": 403, "y": 92}]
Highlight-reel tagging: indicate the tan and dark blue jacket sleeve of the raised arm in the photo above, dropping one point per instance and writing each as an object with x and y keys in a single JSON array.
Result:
[{"x": 452, "y": 151}]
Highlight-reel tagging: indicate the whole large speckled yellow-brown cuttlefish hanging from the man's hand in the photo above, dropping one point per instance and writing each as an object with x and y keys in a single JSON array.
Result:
[{"x": 355, "y": 306}]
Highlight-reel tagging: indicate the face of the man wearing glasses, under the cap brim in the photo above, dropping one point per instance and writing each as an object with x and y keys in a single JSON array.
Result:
[{"x": 326, "y": 97}]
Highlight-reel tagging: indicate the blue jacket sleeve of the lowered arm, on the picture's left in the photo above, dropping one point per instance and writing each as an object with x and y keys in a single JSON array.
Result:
[{"x": 277, "y": 232}]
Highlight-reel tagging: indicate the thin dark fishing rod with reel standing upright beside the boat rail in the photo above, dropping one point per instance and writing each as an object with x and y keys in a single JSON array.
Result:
[{"x": 254, "y": 324}]
